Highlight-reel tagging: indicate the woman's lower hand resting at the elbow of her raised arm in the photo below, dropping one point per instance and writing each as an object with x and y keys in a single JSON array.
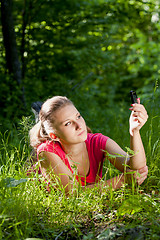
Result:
[{"x": 139, "y": 176}]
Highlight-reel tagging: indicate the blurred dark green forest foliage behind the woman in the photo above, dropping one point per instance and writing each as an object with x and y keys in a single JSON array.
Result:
[{"x": 94, "y": 52}]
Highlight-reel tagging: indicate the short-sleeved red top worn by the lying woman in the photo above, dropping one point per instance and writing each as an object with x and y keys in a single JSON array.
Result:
[{"x": 95, "y": 144}]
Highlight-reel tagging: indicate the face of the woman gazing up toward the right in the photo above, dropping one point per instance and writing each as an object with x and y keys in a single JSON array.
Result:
[{"x": 69, "y": 125}]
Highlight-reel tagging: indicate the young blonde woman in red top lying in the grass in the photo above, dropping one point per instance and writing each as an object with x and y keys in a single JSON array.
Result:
[{"x": 64, "y": 143}]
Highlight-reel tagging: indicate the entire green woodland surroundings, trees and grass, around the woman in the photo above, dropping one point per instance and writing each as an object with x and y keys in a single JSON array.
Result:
[{"x": 94, "y": 52}]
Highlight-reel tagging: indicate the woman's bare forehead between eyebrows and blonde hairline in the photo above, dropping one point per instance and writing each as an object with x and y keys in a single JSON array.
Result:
[{"x": 65, "y": 113}]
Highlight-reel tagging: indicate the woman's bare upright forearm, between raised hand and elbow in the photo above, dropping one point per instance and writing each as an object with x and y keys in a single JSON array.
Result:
[{"x": 139, "y": 159}]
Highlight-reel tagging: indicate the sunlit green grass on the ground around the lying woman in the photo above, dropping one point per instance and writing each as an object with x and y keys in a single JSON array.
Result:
[{"x": 28, "y": 211}]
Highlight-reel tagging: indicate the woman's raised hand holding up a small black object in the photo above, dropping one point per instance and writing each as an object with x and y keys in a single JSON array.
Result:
[{"x": 138, "y": 116}]
